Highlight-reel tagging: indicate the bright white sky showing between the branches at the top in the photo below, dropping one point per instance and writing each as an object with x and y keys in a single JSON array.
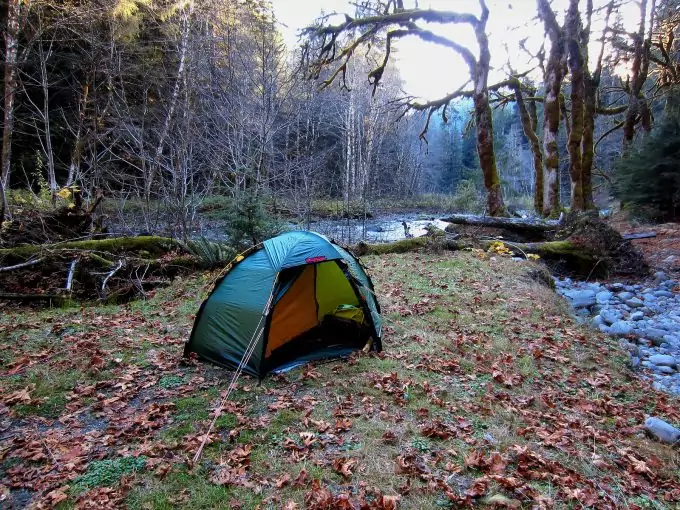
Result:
[{"x": 430, "y": 71}]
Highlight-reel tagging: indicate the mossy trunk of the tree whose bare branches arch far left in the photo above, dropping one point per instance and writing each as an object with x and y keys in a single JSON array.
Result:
[{"x": 484, "y": 120}]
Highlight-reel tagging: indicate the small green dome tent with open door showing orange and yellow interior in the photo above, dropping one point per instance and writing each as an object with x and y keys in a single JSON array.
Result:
[{"x": 294, "y": 298}]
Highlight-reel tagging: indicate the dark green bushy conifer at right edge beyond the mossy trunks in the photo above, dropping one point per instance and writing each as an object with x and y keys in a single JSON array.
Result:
[{"x": 648, "y": 179}]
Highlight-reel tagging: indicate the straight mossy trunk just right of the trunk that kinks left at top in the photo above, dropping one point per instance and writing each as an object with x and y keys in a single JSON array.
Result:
[{"x": 576, "y": 67}]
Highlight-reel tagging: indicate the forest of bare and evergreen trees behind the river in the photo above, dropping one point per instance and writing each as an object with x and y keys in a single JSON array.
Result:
[{"x": 169, "y": 108}]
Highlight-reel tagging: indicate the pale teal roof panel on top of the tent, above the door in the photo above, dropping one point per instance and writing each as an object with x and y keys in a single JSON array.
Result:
[{"x": 299, "y": 247}]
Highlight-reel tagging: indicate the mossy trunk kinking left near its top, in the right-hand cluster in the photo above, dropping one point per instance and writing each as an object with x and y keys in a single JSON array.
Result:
[{"x": 551, "y": 110}]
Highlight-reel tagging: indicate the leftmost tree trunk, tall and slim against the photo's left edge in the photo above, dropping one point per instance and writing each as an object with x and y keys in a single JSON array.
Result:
[{"x": 10, "y": 83}]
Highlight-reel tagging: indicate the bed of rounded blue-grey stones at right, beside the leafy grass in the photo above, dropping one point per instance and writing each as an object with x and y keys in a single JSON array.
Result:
[{"x": 646, "y": 316}]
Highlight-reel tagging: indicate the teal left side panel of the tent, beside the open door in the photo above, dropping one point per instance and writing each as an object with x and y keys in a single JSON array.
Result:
[{"x": 232, "y": 312}]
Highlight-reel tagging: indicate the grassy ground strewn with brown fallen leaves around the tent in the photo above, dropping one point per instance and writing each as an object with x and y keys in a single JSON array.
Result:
[{"x": 487, "y": 391}]
